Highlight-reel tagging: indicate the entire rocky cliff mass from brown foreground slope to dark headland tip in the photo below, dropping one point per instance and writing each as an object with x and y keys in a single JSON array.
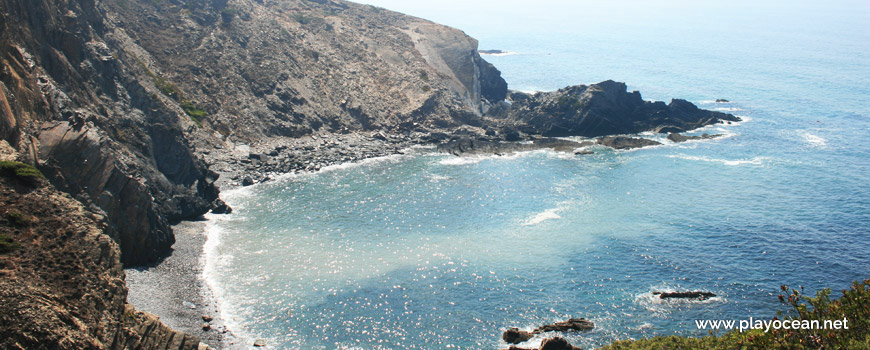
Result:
[{"x": 131, "y": 107}]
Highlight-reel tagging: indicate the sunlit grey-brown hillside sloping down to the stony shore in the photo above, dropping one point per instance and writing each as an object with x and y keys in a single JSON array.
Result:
[{"x": 290, "y": 68}]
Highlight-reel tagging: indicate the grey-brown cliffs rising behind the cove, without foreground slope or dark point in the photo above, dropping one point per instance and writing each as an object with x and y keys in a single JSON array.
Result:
[{"x": 117, "y": 100}]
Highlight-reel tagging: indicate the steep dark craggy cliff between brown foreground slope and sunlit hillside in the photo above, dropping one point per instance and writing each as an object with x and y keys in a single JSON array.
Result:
[{"x": 95, "y": 127}]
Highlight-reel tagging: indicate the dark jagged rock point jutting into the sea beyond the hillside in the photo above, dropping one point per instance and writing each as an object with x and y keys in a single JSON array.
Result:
[{"x": 602, "y": 109}]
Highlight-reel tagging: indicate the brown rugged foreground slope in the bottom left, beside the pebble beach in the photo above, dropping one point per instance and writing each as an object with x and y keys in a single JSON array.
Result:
[{"x": 61, "y": 279}]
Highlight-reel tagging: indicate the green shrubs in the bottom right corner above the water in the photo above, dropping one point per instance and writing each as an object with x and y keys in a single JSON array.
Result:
[{"x": 853, "y": 305}]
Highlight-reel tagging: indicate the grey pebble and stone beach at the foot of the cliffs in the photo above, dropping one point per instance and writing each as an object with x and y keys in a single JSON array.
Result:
[{"x": 165, "y": 289}]
